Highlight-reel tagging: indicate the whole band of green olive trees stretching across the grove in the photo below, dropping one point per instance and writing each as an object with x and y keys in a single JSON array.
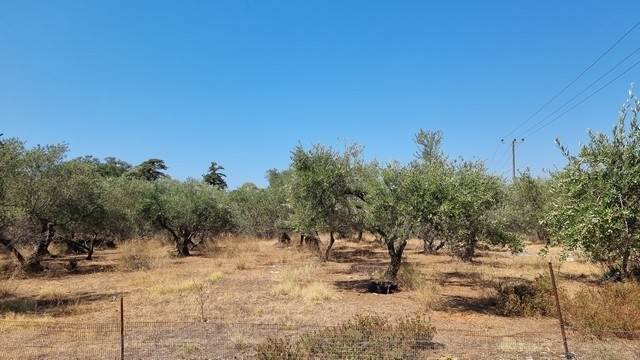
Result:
[{"x": 592, "y": 205}]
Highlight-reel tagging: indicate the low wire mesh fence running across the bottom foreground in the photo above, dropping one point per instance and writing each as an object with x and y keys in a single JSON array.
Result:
[{"x": 211, "y": 340}]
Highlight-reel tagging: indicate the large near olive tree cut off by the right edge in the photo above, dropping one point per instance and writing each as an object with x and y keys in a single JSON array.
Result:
[{"x": 595, "y": 201}]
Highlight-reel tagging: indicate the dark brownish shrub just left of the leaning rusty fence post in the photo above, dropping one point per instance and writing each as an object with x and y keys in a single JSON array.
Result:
[{"x": 525, "y": 298}]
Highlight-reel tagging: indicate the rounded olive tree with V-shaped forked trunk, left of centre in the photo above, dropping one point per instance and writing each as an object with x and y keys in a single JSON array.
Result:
[{"x": 186, "y": 210}]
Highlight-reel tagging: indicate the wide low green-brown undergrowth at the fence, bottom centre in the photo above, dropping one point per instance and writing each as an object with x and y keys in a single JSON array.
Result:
[{"x": 364, "y": 337}]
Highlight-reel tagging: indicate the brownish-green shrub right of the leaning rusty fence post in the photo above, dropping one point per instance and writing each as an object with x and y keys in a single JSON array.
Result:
[{"x": 611, "y": 310}]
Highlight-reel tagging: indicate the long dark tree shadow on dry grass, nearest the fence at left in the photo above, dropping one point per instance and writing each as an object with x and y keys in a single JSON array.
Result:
[{"x": 49, "y": 304}]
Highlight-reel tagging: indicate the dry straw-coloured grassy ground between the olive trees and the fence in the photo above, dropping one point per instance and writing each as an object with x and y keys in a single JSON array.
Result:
[{"x": 250, "y": 281}]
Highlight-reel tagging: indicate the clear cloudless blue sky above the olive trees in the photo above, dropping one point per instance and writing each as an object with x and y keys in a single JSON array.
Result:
[{"x": 243, "y": 82}]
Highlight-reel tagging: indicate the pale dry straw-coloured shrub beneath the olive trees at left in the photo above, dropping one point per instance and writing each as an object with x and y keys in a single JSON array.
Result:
[{"x": 141, "y": 255}]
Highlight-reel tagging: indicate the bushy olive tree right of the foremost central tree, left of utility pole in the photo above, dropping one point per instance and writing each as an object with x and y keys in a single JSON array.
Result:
[{"x": 473, "y": 211}]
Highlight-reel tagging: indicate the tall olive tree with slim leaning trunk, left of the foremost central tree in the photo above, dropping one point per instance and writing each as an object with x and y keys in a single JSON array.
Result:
[{"x": 324, "y": 191}]
